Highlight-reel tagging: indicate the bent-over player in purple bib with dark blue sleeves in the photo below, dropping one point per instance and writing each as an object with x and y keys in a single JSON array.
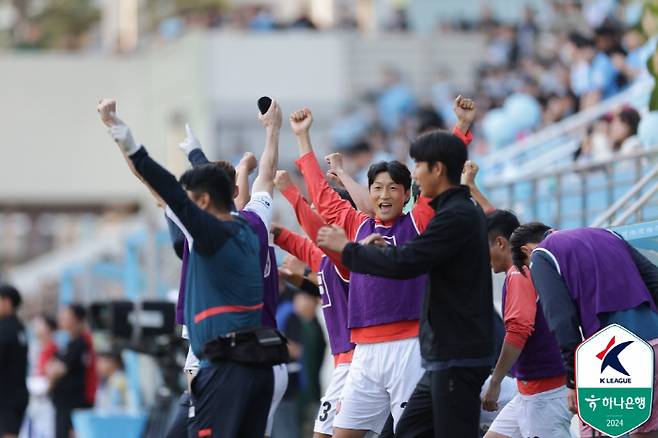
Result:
[{"x": 578, "y": 275}]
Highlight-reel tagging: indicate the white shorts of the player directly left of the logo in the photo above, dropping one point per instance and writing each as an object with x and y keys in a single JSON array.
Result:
[{"x": 544, "y": 415}]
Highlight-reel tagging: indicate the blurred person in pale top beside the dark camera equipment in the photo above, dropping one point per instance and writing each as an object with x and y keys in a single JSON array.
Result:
[{"x": 113, "y": 395}]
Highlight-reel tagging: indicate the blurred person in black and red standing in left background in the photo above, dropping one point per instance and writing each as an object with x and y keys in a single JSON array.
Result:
[{"x": 69, "y": 372}]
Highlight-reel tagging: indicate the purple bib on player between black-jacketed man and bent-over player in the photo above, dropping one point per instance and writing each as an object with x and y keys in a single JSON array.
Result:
[{"x": 540, "y": 357}]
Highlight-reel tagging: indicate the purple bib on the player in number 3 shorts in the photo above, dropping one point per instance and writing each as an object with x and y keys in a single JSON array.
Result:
[{"x": 334, "y": 294}]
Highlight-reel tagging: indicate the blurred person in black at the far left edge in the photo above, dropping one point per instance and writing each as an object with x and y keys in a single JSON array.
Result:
[{"x": 13, "y": 363}]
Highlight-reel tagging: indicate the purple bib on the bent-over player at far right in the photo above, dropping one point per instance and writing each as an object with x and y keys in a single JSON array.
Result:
[{"x": 599, "y": 272}]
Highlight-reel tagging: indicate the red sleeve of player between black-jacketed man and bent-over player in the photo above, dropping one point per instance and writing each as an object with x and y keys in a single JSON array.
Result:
[{"x": 520, "y": 308}]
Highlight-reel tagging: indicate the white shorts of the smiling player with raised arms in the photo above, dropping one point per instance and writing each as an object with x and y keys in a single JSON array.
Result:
[{"x": 380, "y": 381}]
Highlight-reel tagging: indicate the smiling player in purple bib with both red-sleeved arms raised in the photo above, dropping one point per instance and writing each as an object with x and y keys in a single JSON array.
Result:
[{"x": 382, "y": 313}]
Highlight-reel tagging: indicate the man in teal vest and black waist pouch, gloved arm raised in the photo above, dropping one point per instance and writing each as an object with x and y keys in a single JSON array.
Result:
[{"x": 224, "y": 292}]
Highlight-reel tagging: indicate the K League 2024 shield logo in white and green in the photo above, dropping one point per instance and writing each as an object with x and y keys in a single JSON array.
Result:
[{"x": 614, "y": 380}]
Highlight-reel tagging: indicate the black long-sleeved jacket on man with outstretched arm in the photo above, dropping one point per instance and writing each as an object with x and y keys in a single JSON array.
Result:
[{"x": 456, "y": 320}]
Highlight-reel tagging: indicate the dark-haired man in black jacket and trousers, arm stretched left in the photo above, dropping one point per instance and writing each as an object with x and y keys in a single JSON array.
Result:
[{"x": 456, "y": 319}]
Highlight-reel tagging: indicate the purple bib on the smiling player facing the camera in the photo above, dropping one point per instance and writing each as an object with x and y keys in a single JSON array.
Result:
[{"x": 377, "y": 300}]
